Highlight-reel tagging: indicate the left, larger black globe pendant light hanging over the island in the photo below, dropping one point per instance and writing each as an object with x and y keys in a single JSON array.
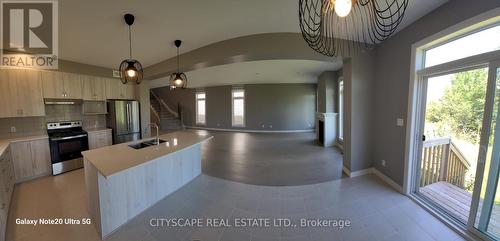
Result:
[{"x": 130, "y": 69}]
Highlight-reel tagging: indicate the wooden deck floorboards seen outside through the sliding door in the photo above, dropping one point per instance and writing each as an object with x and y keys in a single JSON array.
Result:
[{"x": 457, "y": 201}]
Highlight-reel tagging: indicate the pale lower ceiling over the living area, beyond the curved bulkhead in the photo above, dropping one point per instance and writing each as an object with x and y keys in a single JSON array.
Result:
[{"x": 256, "y": 72}]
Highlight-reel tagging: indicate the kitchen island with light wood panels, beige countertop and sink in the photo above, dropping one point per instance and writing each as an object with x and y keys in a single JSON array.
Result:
[{"x": 122, "y": 181}]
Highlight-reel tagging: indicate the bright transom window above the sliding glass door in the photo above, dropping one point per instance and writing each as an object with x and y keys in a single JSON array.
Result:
[{"x": 473, "y": 44}]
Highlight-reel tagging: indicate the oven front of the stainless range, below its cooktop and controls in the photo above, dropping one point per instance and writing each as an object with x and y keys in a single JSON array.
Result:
[{"x": 66, "y": 153}]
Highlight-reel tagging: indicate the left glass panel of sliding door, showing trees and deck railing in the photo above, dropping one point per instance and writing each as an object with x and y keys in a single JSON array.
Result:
[{"x": 454, "y": 107}]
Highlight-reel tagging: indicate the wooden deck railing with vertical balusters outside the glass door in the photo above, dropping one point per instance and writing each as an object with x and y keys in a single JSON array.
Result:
[{"x": 442, "y": 161}]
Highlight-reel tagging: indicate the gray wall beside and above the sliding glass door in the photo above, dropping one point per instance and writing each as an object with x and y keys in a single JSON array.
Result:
[{"x": 392, "y": 80}]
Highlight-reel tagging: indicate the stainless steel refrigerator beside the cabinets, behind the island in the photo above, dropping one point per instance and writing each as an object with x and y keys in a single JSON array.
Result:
[{"x": 123, "y": 117}]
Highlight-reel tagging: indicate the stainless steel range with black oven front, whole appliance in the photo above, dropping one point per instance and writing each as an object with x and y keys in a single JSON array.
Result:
[{"x": 67, "y": 141}]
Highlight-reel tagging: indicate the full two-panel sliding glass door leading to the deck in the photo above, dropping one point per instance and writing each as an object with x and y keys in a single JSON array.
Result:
[{"x": 459, "y": 160}]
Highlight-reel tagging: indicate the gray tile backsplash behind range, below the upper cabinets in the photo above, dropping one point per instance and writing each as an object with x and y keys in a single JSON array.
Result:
[{"x": 32, "y": 126}]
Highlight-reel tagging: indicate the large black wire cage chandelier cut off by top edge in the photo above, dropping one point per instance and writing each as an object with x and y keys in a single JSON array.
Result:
[{"x": 338, "y": 27}]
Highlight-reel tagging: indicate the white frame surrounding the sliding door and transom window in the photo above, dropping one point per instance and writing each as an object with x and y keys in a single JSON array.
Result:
[{"x": 417, "y": 74}]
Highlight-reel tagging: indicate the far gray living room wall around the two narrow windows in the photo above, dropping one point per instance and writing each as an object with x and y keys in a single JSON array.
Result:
[{"x": 282, "y": 106}]
